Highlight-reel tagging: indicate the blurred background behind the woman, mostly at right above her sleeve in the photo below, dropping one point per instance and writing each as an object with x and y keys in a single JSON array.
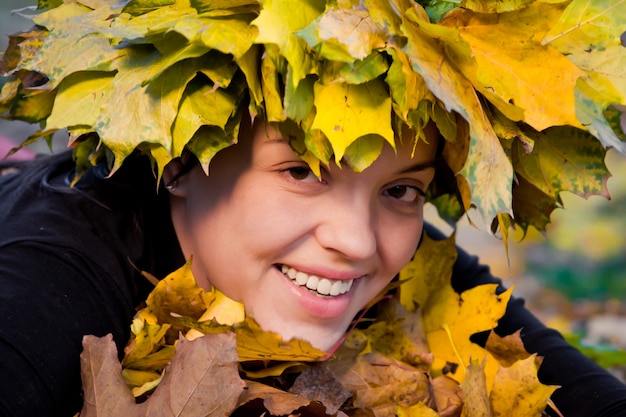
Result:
[{"x": 574, "y": 280}]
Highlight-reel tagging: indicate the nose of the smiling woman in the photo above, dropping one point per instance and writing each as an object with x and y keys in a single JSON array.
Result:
[{"x": 349, "y": 228}]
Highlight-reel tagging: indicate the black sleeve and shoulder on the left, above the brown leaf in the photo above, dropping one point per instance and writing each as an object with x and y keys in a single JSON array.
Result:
[{"x": 66, "y": 270}]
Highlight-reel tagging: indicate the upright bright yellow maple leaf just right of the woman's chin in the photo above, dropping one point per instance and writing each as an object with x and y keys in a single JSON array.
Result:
[{"x": 450, "y": 318}]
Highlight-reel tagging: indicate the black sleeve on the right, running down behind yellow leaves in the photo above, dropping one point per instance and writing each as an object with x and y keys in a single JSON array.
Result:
[{"x": 587, "y": 390}]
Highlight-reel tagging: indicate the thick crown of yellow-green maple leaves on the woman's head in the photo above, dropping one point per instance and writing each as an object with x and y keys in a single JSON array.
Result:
[{"x": 527, "y": 94}]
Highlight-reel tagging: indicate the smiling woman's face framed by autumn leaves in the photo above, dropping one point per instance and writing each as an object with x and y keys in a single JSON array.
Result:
[{"x": 303, "y": 255}]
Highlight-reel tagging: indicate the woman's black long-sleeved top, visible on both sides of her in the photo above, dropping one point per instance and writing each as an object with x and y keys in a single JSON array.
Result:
[{"x": 69, "y": 266}]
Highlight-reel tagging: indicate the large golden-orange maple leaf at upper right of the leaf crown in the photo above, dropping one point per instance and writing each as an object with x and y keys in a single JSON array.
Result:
[{"x": 504, "y": 63}]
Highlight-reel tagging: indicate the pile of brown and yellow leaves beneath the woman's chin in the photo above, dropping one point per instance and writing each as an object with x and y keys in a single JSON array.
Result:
[{"x": 194, "y": 353}]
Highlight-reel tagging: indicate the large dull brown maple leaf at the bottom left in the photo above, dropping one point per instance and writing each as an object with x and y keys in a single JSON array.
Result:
[{"x": 211, "y": 387}]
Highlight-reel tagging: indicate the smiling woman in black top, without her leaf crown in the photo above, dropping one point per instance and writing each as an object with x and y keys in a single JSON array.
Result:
[{"x": 259, "y": 227}]
